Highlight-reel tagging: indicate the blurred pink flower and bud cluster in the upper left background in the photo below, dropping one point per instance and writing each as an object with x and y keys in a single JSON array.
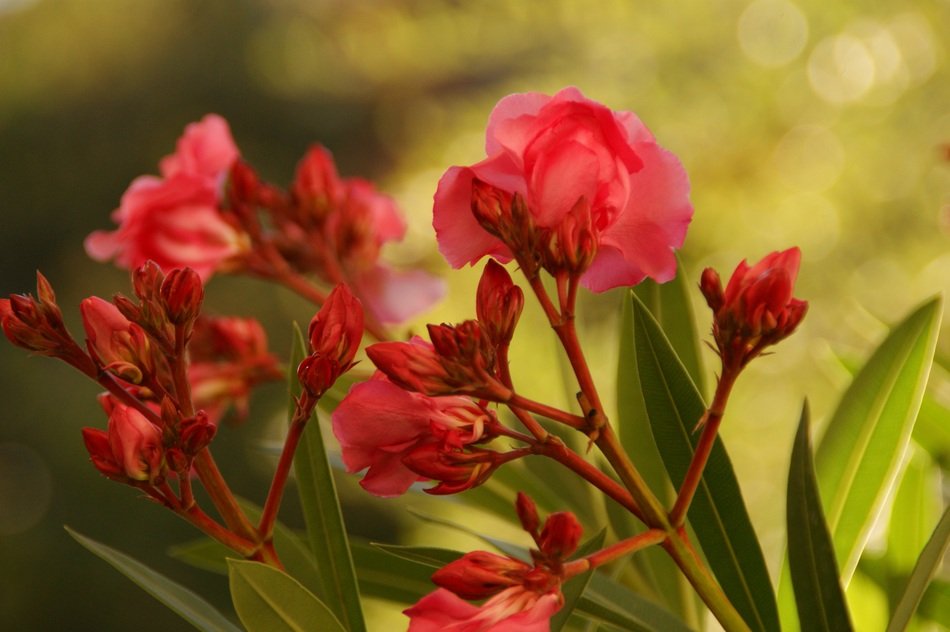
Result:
[{"x": 209, "y": 211}]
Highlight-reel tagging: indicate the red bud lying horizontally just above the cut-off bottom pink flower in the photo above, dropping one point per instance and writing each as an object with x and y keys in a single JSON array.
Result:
[{"x": 479, "y": 574}]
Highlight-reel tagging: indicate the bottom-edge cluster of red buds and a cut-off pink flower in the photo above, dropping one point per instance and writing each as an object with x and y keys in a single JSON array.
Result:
[{"x": 520, "y": 596}]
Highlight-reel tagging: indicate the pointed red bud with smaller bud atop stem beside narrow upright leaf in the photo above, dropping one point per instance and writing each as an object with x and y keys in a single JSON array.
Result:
[{"x": 335, "y": 333}]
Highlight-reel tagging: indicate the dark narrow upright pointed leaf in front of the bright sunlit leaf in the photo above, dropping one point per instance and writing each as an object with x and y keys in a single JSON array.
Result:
[{"x": 819, "y": 598}]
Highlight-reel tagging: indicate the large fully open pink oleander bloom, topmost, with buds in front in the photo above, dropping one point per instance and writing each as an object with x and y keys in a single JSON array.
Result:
[{"x": 594, "y": 181}]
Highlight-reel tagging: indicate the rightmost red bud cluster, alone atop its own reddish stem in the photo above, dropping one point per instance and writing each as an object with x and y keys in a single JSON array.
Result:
[{"x": 756, "y": 309}]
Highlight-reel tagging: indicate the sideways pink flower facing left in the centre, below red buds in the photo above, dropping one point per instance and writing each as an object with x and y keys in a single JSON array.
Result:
[{"x": 380, "y": 425}]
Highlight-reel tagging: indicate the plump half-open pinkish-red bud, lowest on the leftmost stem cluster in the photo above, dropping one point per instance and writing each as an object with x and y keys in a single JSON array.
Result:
[{"x": 131, "y": 449}]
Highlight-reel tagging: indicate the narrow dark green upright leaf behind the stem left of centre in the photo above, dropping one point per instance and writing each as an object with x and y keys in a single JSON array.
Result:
[{"x": 326, "y": 531}]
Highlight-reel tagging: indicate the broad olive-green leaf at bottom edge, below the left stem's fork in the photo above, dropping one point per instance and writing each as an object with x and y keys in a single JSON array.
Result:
[{"x": 269, "y": 600}]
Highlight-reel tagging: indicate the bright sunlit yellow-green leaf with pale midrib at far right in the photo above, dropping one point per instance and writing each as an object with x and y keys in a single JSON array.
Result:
[{"x": 858, "y": 460}]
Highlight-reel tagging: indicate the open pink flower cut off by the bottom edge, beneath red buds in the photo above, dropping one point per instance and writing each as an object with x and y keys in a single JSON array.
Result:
[{"x": 516, "y": 609}]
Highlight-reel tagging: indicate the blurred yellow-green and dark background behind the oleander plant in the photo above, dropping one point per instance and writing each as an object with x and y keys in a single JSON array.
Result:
[{"x": 806, "y": 123}]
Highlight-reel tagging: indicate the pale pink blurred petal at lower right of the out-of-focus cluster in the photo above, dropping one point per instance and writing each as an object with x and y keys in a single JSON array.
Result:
[{"x": 394, "y": 296}]
